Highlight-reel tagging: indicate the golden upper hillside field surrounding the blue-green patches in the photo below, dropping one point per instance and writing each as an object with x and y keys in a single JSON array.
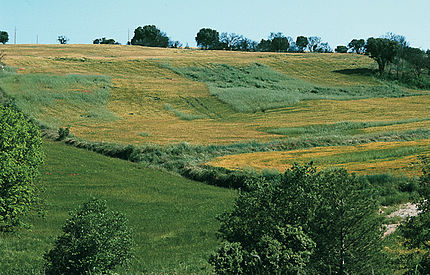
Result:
[{"x": 141, "y": 88}]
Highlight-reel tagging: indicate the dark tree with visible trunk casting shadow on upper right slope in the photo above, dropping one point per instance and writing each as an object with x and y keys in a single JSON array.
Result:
[{"x": 382, "y": 50}]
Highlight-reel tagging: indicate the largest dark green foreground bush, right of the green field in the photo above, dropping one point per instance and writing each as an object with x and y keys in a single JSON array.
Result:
[{"x": 280, "y": 221}]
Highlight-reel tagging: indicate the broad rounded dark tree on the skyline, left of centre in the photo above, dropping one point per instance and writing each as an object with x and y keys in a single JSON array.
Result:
[{"x": 150, "y": 36}]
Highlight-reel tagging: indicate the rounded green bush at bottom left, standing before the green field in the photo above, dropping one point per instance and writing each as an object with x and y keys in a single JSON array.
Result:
[{"x": 94, "y": 240}]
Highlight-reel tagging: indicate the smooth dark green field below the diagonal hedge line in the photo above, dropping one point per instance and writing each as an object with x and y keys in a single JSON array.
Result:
[{"x": 173, "y": 219}]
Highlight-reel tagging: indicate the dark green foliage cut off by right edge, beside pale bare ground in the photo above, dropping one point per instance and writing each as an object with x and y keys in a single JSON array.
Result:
[{"x": 416, "y": 230}]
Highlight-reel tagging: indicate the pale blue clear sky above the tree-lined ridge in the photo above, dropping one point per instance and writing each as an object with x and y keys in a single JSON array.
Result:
[{"x": 335, "y": 21}]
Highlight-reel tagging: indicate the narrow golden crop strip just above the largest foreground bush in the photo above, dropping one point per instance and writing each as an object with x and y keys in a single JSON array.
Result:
[{"x": 327, "y": 157}]
